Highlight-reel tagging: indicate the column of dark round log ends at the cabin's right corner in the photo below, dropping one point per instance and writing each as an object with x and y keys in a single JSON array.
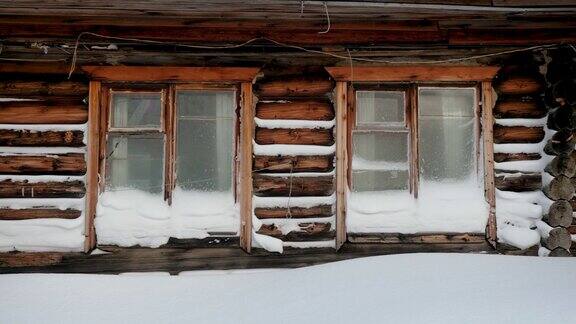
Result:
[{"x": 560, "y": 97}]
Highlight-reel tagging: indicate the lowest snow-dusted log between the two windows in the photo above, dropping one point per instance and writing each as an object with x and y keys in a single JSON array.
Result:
[{"x": 308, "y": 232}]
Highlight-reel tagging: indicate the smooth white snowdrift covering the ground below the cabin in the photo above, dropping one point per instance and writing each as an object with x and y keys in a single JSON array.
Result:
[{"x": 416, "y": 288}]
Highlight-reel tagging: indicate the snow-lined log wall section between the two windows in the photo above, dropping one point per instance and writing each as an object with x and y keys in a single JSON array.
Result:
[{"x": 289, "y": 96}]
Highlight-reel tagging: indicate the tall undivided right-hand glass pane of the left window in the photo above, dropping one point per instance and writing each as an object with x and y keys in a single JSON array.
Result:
[{"x": 205, "y": 140}]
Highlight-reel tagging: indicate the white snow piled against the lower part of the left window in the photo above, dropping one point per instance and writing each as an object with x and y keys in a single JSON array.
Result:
[{"x": 134, "y": 217}]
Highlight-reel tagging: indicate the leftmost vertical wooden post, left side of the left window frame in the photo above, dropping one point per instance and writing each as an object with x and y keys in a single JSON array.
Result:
[{"x": 92, "y": 161}]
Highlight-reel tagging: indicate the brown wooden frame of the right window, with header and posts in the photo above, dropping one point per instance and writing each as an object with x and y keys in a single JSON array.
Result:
[{"x": 482, "y": 76}]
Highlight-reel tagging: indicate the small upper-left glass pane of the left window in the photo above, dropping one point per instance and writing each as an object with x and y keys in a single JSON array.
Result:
[{"x": 136, "y": 110}]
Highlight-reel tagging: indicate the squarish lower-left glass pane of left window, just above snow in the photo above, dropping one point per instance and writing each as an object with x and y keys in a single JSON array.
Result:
[{"x": 135, "y": 162}]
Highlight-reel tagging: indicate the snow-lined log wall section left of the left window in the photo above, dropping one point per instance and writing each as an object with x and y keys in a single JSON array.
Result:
[{"x": 42, "y": 162}]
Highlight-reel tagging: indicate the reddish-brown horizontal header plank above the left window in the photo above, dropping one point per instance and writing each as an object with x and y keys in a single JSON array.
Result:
[{"x": 171, "y": 73}]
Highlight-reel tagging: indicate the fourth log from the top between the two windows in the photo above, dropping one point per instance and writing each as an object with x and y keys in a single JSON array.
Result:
[{"x": 301, "y": 163}]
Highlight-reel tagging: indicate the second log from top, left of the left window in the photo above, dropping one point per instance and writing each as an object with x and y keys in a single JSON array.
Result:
[{"x": 41, "y": 112}]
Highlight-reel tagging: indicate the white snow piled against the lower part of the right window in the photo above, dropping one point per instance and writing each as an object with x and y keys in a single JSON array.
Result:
[{"x": 443, "y": 208}]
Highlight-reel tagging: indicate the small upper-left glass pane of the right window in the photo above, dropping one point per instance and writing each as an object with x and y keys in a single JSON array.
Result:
[{"x": 380, "y": 107}]
